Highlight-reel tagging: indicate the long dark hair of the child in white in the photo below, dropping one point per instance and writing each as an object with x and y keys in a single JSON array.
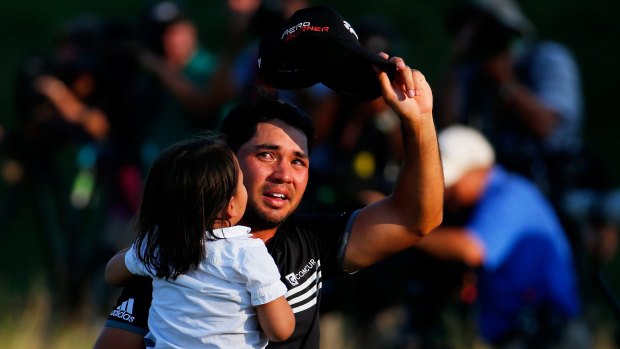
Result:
[{"x": 188, "y": 187}]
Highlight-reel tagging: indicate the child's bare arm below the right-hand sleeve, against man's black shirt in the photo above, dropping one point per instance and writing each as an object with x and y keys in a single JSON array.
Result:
[{"x": 276, "y": 319}]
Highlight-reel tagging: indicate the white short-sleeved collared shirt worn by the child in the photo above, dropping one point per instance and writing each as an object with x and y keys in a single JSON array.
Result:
[{"x": 214, "y": 305}]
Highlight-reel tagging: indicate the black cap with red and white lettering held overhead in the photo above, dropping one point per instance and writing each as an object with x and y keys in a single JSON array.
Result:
[{"x": 317, "y": 45}]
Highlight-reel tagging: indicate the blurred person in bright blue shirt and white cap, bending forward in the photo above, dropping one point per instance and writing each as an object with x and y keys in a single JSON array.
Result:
[{"x": 527, "y": 290}]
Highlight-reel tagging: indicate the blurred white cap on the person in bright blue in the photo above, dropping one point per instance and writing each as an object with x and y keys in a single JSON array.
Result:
[{"x": 463, "y": 149}]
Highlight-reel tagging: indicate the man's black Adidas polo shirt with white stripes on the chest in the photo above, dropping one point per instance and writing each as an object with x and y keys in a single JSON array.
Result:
[{"x": 306, "y": 248}]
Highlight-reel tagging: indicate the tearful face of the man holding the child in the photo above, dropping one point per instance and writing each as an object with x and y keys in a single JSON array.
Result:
[{"x": 275, "y": 167}]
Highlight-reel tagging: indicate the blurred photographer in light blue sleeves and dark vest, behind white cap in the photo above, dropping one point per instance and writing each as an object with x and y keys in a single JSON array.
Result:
[{"x": 524, "y": 94}]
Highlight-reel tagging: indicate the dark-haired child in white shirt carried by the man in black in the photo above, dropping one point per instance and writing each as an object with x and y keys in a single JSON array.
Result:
[{"x": 213, "y": 284}]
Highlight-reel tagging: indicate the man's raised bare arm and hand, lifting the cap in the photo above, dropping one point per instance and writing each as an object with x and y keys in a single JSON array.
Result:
[{"x": 415, "y": 208}]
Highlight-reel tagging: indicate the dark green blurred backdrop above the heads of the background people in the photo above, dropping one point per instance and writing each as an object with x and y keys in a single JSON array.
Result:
[{"x": 590, "y": 30}]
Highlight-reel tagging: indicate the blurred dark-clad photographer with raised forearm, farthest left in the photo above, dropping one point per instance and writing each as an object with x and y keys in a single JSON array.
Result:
[{"x": 69, "y": 147}]
